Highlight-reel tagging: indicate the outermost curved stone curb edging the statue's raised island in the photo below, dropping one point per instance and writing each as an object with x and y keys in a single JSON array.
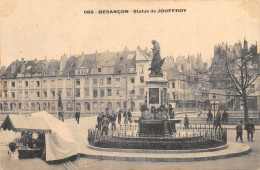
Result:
[{"x": 160, "y": 158}]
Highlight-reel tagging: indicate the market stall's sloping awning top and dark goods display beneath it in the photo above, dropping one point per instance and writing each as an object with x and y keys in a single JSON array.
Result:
[{"x": 33, "y": 130}]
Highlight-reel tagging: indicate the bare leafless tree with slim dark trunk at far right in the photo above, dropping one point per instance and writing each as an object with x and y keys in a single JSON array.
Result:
[{"x": 239, "y": 68}]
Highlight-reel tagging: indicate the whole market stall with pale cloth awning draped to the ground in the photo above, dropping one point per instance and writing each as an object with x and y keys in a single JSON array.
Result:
[{"x": 42, "y": 135}]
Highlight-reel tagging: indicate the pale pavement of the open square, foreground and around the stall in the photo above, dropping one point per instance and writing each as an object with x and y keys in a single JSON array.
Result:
[{"x": 79, "y": 131}]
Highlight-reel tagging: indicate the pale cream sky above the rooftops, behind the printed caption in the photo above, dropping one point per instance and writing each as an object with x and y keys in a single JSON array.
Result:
[{"x": 38, "y": 29}]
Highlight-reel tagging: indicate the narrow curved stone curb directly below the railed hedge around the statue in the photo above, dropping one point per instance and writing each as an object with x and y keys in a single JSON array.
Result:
[{"x": 156, "y": 151}]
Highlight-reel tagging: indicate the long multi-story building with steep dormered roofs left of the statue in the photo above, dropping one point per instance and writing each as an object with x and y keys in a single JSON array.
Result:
[{"x": 89, "y": 82}]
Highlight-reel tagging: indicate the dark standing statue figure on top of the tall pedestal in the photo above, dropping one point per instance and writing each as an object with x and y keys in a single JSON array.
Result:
[{"x": 157, "y": 61}]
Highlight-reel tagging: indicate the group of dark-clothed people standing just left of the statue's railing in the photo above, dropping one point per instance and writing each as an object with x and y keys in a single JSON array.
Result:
[{"x": 104, "y": 119}]
